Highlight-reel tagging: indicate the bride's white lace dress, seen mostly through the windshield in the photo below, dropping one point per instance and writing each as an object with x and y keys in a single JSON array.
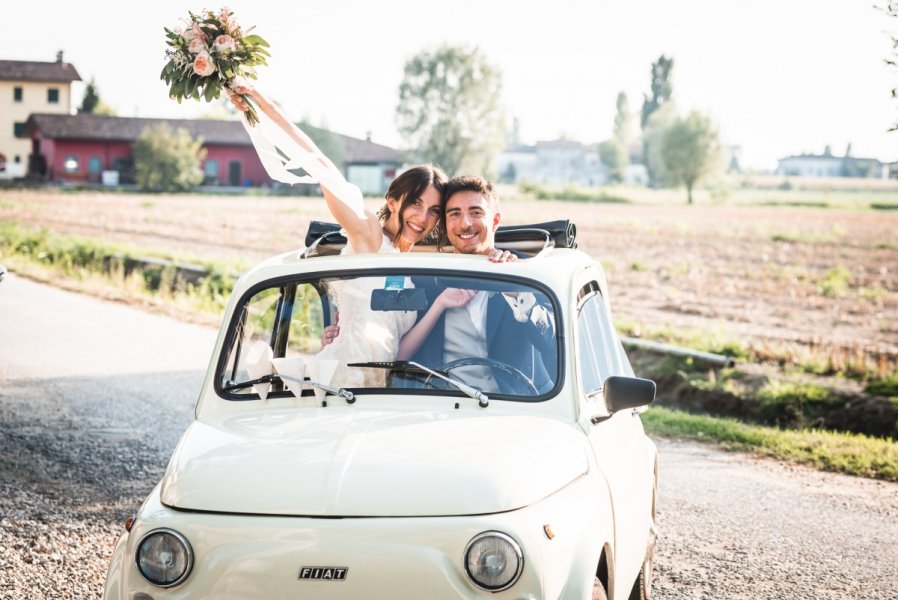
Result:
[{"x": 365, "y": 335}]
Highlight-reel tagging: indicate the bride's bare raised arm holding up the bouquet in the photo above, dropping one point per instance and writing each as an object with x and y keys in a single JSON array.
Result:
[{"x": 363, "y": 228}]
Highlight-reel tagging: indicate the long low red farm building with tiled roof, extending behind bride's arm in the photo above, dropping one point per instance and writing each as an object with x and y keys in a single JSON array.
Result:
[{"x": 81, "y": 148}]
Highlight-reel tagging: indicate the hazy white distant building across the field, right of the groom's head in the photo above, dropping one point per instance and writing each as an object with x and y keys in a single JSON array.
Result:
[{"x": 557, "y": 162}]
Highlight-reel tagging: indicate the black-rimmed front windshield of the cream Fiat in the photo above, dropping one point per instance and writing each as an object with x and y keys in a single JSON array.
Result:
[{"x": 369, "y": 332}]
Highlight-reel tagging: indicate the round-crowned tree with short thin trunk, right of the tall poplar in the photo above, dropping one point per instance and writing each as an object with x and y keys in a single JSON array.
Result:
[{"x": 690, "y": 150}]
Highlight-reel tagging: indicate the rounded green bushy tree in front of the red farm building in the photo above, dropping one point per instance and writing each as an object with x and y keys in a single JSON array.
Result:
[{"x": 167, "y": 160}]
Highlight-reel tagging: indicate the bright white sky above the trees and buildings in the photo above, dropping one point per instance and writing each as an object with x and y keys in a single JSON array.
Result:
[{"x": 778, "y": 77}]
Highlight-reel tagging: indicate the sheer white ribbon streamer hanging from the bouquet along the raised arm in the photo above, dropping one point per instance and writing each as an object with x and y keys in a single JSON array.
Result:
[{"x": 273, "y": 144}]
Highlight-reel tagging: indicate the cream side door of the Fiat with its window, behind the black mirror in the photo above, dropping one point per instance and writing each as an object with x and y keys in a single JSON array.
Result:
[{"x": 622, "y": 451}]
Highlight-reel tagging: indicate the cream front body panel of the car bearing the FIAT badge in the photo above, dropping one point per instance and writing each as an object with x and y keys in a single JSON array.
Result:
[{"x": 259, "y": 556}]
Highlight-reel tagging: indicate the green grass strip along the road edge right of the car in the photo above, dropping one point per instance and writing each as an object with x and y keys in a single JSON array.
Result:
[{"x": 830, "y": 451}]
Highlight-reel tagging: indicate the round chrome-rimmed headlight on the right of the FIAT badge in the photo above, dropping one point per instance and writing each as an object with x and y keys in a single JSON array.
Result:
[{"x": 493, "y": 561}]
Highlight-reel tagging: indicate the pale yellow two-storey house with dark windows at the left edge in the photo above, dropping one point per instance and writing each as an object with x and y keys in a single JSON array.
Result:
[{"x": 29, "y": 87}]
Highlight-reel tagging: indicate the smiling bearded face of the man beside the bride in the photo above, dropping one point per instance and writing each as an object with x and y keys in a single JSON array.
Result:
[{"x": 471, "y": 222}]
